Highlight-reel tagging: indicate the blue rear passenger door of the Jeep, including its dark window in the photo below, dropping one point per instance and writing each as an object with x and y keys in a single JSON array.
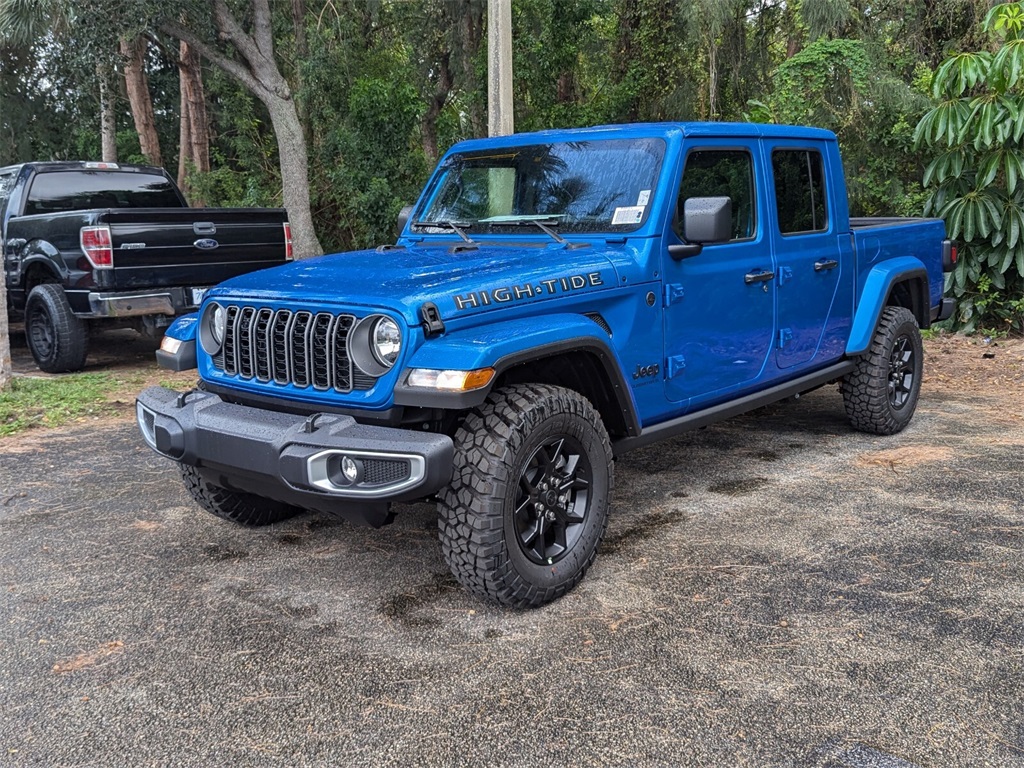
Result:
[{"x": 813, "y": 254}]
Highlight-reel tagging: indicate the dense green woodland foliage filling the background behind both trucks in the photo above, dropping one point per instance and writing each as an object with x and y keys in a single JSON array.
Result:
[{"x": 383, "y": 88}]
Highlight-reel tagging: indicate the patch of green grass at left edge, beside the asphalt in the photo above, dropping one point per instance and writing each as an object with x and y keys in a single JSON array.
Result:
[{"x": 51, "y": 403}]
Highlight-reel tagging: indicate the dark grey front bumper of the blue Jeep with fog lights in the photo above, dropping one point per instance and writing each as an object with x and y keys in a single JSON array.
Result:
[{"x": 295, "y": 459}]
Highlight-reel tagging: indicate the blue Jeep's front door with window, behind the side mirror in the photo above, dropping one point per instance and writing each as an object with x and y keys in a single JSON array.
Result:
[{"x": 720, "y": 305}]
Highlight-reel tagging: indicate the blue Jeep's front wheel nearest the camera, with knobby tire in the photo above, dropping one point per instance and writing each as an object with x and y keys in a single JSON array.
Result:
[{"x": 529, "y": 501}]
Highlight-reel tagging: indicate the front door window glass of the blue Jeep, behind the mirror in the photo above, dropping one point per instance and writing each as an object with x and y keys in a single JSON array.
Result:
[{"x": 715, "y": 174}]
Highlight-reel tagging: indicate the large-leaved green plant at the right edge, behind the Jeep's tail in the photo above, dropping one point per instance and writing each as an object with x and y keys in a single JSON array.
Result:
[{"x": 975, "y": 133}]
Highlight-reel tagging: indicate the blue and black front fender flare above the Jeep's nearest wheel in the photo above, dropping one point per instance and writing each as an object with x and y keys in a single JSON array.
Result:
[{"x": 507, "y": 345}]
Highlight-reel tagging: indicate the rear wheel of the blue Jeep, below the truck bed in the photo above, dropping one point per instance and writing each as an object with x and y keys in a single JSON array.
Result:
[{"x": 882, "y": 394}]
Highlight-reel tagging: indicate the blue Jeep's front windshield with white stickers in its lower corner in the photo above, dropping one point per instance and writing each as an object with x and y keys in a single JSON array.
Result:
[{"x": 578, "y": 187}]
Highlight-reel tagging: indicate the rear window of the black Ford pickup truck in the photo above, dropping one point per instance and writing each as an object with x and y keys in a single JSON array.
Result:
[{"x": 77, "y": 191}]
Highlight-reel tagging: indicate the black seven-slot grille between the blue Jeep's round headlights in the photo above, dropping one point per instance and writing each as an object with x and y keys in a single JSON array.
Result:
[{"x": 290, "y": 348}]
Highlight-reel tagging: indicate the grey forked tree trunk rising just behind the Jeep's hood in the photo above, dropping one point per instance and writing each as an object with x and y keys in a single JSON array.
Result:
[{"x": 253, "y": 65}]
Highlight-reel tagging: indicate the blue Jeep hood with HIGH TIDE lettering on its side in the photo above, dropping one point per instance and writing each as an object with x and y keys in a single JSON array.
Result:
[{"x": 402, "y": 280}]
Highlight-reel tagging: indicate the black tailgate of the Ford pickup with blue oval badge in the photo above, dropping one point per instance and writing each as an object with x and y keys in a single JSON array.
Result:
[{"x": 162, "y": 247}]
